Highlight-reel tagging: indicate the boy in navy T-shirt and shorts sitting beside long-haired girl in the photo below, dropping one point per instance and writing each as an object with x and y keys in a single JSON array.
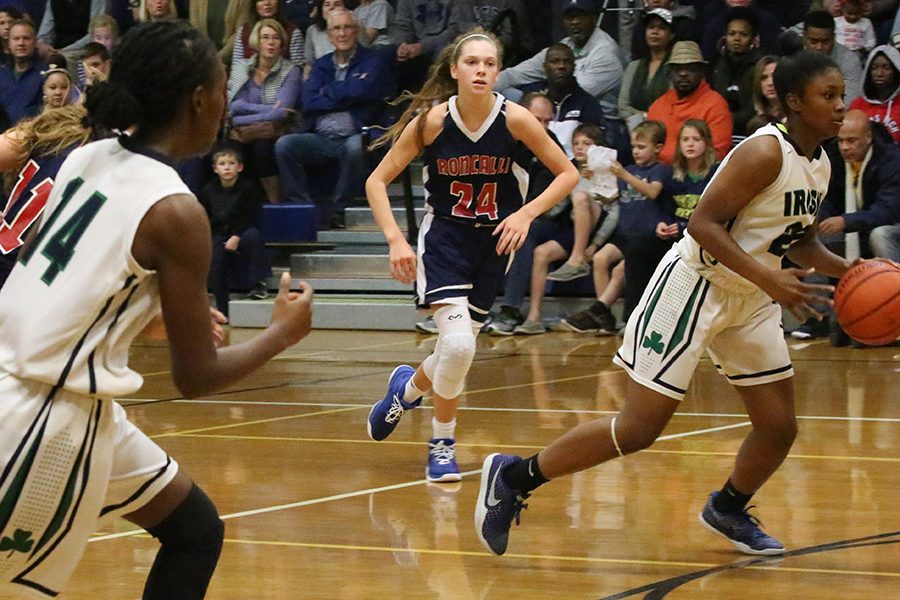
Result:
[{"x": 640, "y": 185}]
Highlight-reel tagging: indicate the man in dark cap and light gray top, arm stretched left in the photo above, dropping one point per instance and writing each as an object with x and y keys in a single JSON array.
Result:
[{"x": 597, "y": 66}]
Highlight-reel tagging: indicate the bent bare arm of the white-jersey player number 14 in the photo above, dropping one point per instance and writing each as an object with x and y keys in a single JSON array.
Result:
[{"x": 174, "y": 240}]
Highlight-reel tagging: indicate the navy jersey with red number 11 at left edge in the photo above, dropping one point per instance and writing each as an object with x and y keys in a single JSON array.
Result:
[{"x": 25, "y": 204}]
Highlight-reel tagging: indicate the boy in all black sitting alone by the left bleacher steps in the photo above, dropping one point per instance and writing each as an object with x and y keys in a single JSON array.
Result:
[{"x": 233, "y": 203}]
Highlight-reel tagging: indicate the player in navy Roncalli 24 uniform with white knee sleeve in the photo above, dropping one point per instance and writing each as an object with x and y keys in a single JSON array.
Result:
[{"x": 475, "y": 190}]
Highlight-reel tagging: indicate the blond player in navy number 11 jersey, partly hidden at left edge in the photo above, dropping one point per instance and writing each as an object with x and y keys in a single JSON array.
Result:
[{"x": 35, "y": 148}]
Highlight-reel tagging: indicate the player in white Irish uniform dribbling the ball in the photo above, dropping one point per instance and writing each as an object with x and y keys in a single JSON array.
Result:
[{"x": 712, "y": 293}]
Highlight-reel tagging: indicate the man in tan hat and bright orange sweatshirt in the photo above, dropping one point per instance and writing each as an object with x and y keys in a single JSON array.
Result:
[{"x": 691, "y": 98}]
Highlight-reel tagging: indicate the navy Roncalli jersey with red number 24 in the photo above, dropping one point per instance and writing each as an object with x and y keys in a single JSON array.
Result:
[{"x": 475, "y": 176}]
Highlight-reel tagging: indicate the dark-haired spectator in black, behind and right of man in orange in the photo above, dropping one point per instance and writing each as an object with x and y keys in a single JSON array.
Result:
[{"x": 733, "y": 75}]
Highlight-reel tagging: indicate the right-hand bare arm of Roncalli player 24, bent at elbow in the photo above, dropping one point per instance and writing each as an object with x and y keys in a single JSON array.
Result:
[{"x": 526, "y": 128}]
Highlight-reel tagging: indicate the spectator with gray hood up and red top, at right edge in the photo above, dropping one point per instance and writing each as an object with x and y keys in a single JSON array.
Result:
[{"x": 880, "y": 87}]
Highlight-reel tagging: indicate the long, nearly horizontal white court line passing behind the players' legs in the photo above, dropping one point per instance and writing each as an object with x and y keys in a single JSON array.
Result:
[{"x": 139, "y": 401}]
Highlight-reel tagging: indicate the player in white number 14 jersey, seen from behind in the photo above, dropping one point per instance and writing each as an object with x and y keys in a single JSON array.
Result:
[{"x": 121, "y": 236}]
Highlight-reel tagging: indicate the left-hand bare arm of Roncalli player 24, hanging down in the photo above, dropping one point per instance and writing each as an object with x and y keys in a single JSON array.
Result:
[{"x": 402, "y": 152}]
